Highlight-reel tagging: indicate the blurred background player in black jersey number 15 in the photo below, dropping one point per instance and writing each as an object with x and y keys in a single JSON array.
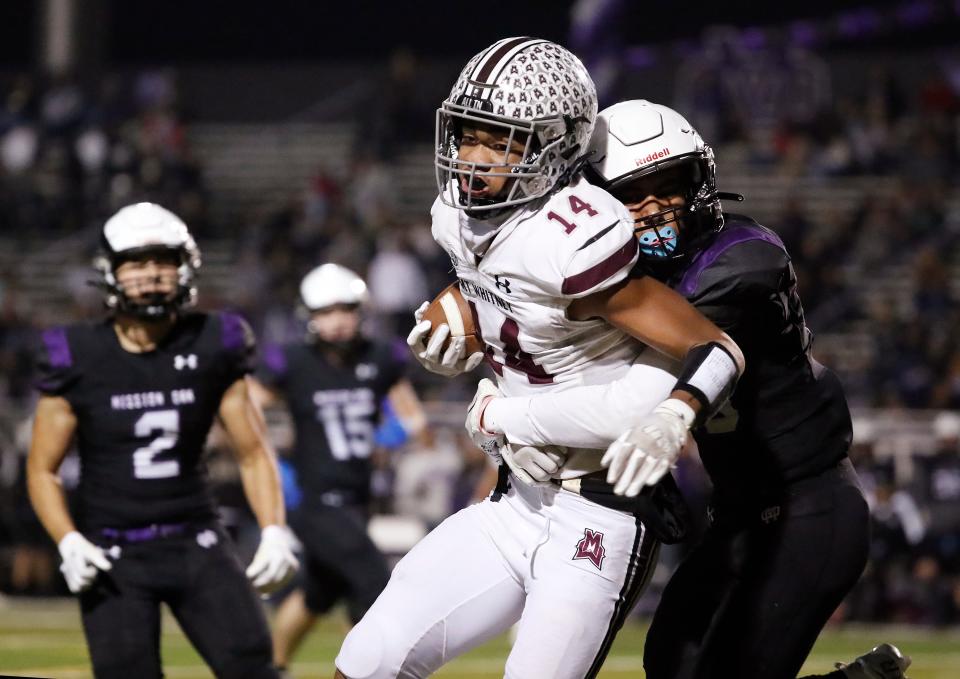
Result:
[{"x": 333, "y": 385}]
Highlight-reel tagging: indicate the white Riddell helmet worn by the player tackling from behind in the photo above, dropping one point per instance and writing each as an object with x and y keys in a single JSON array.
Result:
[{"x": 639, "y": 148}]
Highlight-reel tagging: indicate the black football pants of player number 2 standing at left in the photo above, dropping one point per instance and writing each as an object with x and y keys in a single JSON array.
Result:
[{"x": 200, "y": 578}]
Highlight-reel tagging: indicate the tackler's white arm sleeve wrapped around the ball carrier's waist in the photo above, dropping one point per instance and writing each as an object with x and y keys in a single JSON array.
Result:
[{"x": 588, "y": 416}]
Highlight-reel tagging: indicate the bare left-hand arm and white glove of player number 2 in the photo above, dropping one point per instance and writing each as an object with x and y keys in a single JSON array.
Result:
[{"x": 53, "y": 429}]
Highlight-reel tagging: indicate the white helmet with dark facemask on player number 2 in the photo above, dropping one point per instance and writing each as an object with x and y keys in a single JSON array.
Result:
[{"x": 139, "y": 229}]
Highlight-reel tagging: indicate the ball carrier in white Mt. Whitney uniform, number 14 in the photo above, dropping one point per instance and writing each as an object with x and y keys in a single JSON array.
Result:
[{"x": 543, "y": 257}]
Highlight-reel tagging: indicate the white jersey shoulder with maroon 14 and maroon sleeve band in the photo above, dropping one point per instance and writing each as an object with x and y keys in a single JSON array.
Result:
[{"x": 597, "y": 247}]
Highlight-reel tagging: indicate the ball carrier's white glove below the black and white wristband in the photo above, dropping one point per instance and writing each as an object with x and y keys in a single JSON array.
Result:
[{"x": 643, "y": 454}]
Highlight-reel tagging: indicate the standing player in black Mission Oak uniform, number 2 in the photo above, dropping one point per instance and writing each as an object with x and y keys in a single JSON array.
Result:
[{"x": 138, "y": 393}]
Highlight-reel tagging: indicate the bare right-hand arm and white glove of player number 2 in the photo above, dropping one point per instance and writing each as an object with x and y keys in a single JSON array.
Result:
[{"x": 274, "y": 562}]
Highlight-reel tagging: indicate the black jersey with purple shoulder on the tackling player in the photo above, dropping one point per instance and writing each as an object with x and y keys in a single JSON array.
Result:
[{"x": 788, "y": 417}]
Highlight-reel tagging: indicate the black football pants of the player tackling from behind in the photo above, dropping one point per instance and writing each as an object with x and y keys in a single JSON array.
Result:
[{"x": 750, "y": 600}]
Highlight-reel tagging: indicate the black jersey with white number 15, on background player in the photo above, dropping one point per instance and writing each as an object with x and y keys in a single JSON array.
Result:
[{"x": 335, "y": 409}]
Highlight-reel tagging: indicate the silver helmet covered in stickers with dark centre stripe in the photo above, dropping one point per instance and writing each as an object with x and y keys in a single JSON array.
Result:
[{"x": 534, "y": 89}]
